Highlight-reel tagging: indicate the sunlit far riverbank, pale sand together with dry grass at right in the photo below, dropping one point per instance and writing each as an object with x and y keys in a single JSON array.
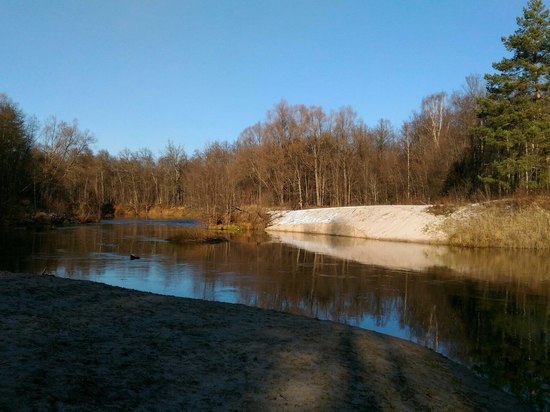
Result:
[{"x": 513, "y": 223}]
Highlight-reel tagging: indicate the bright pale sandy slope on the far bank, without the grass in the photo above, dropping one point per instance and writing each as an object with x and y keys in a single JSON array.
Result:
[{"x": 404, "y": 223}]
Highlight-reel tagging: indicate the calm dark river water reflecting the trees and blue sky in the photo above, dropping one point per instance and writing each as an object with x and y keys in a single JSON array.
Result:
[{"x": 489, "y": 309}]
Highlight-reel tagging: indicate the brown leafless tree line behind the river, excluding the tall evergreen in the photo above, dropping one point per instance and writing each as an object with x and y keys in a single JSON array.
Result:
[{"x": 297, "y": 157}]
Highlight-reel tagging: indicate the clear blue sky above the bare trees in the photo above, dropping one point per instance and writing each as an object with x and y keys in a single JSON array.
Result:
[{"x": 138, "y": 73}]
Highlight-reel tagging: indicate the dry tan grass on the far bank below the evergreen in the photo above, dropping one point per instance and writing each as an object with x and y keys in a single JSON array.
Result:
[{"x": 507, "y": 224}]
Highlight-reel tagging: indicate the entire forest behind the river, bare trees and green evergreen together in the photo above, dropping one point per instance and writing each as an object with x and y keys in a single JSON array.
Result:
[{"x": 489, "y": 139}]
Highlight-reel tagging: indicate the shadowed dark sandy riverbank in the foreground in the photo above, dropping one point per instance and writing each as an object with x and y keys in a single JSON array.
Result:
[{"x": 69, "y": 344}]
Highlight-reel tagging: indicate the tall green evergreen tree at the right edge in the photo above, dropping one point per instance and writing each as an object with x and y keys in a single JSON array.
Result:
[{"x": 515, "y": 114}]
